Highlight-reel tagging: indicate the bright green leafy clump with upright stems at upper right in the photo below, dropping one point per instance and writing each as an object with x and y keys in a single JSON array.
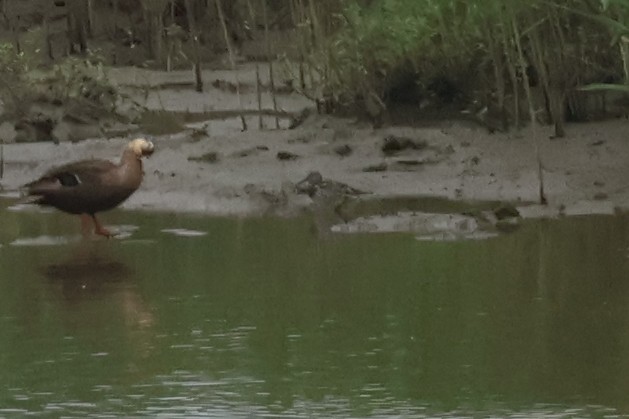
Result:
[{"x": 511, "y": 57}]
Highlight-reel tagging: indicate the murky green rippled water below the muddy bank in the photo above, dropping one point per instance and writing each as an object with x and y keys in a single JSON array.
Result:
[{"x": 265, "y": 318}]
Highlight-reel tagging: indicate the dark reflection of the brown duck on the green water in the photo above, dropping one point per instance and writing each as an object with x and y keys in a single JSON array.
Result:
[{"x": 95, "y": 288}]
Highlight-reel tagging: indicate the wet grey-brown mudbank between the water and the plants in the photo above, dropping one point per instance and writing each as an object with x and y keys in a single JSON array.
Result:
[{"x": 213, "y": 167}]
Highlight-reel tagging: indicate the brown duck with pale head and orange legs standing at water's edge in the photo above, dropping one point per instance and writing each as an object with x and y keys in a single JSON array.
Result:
[{"x": 89, "y": 186}]
